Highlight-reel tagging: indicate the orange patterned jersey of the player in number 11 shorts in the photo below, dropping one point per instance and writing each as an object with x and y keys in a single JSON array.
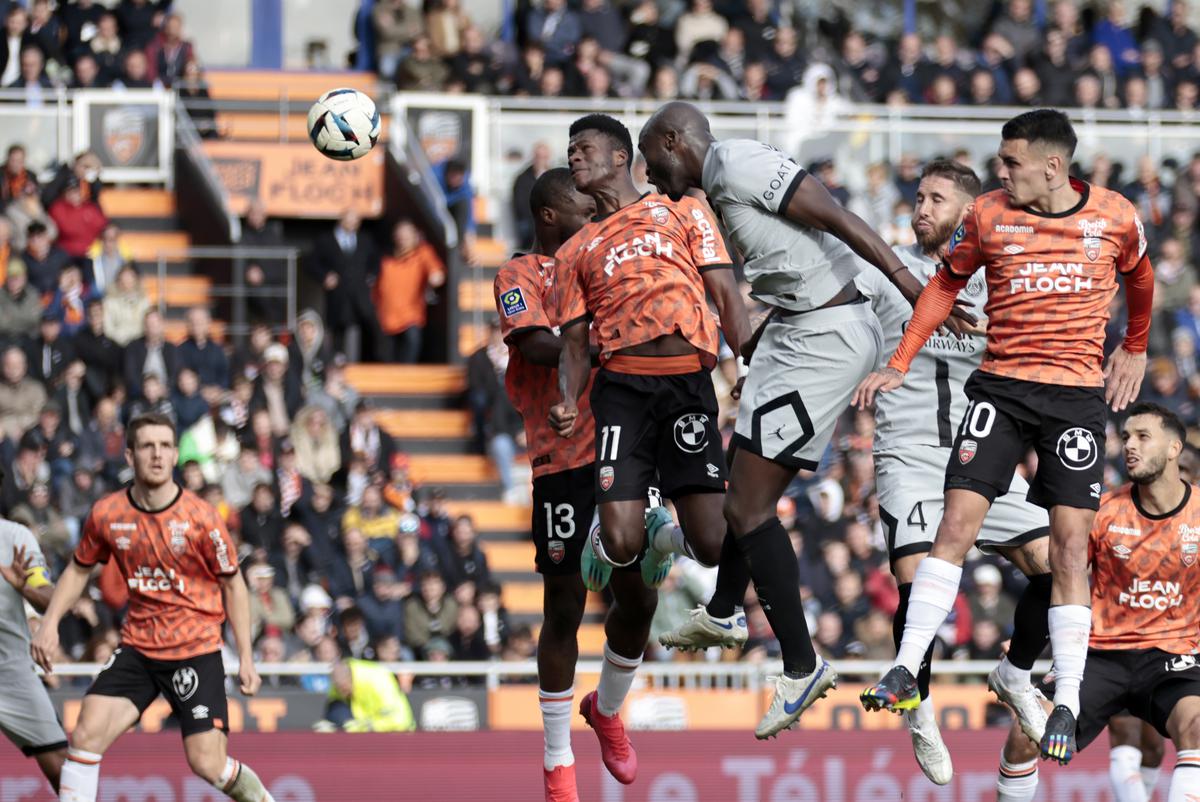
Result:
[{"x": 638, "y": 274}]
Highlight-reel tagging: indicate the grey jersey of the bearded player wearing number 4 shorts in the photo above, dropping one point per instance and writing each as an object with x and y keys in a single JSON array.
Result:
[{"x": 928, "y": 408}]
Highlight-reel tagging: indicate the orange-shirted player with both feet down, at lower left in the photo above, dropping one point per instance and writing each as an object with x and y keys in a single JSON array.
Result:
[{"x": 175, "y": 553}]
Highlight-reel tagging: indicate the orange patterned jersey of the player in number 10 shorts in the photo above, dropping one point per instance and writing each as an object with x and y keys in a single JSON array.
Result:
[{"x": 1051, "y": 280}]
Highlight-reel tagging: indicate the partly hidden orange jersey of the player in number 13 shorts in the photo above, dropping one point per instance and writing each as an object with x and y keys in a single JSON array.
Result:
[{"x": 527, "y": 297}]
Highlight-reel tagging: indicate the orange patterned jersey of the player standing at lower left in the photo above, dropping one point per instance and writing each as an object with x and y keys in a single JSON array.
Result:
[{"x": 172, "y": 562}]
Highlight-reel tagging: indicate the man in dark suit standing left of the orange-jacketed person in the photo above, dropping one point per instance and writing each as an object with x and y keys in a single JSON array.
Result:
[{"x": 347, "y": 264}]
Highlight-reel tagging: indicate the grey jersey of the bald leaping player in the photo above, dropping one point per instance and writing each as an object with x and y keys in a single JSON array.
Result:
[{"x": 788, "y": 265}]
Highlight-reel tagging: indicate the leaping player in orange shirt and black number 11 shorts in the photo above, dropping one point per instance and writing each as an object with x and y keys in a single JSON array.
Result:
[{"x": 639, "y": 273}]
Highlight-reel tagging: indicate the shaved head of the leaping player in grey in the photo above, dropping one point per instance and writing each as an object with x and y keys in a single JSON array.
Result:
[{"x": 675, "y": 143}]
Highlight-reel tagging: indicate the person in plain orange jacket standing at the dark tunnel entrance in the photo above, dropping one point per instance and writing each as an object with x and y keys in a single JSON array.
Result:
[{"x": 406, "y": 278}]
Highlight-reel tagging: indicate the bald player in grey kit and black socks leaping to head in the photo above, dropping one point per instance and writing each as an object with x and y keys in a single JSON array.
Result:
[{"x": 802, "y": 254}]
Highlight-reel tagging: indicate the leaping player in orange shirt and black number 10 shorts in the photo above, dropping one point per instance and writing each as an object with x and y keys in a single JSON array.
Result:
[{"x": 1052, "y": 248}]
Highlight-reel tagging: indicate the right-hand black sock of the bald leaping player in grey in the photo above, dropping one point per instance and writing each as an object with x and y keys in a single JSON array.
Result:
[{"x": 777, "y": 579}]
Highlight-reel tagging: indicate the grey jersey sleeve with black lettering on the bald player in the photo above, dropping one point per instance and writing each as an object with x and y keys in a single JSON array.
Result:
[{"x": 751, "y": 172}]
